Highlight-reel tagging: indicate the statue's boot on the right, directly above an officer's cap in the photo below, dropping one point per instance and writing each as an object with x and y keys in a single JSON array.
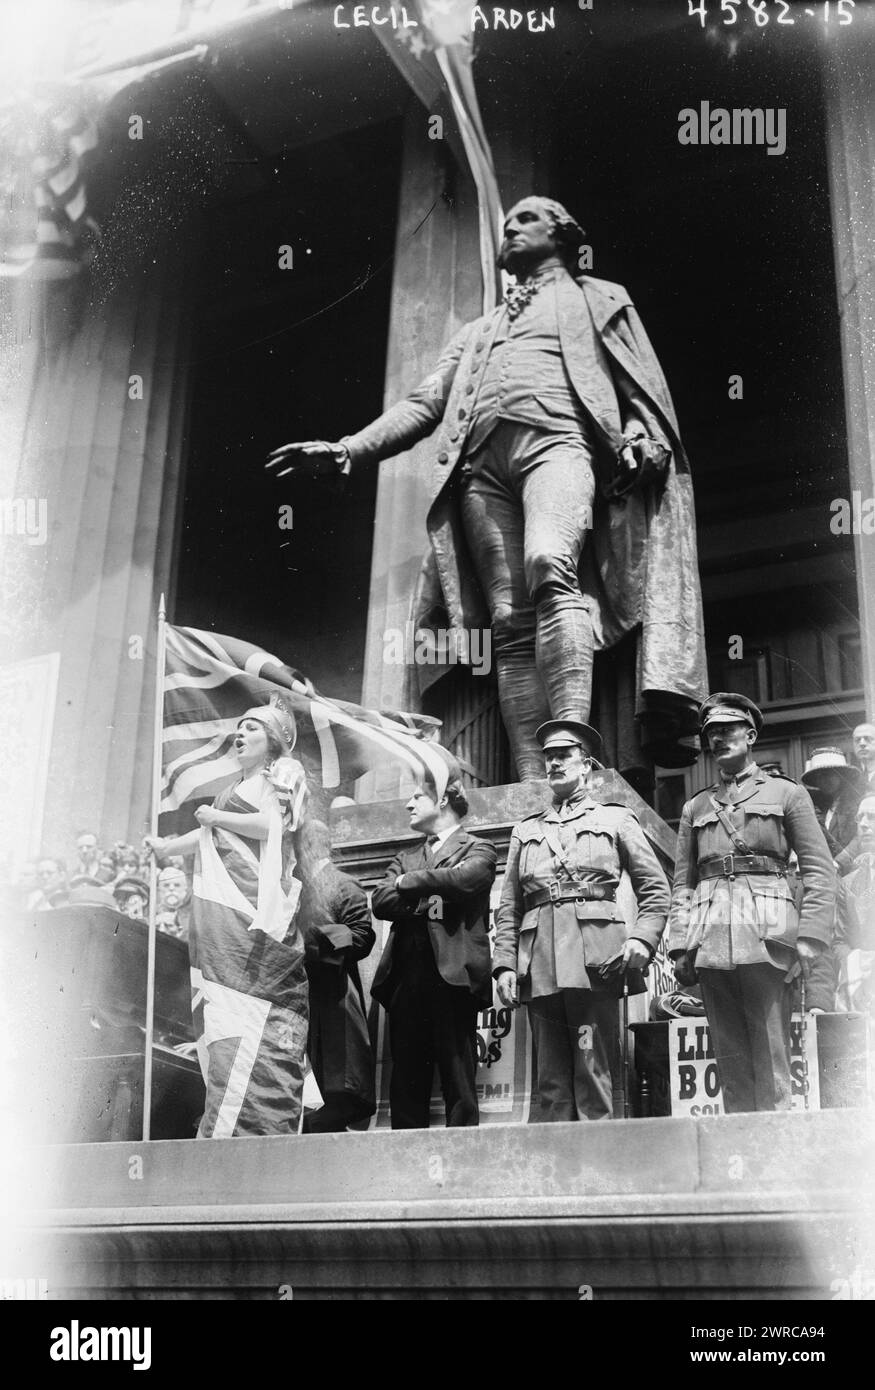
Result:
[{"x": 564, "y": 654}]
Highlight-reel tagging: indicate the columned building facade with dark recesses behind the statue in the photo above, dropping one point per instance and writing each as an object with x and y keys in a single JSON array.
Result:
[{"x": 144, "y": 394}]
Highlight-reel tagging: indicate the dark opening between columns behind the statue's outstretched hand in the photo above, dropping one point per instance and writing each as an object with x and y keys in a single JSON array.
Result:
[{"x": 280, "y": 357}]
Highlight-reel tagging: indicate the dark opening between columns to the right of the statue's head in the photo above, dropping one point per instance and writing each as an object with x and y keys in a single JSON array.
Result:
[{"x": 728, "y": 255}]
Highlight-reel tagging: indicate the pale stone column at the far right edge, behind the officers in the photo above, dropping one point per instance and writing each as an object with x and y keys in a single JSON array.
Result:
[{"x": 851, "y": 141}]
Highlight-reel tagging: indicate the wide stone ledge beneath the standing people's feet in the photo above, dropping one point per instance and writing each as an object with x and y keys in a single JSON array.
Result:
[{"x": 739, "y": 1207}]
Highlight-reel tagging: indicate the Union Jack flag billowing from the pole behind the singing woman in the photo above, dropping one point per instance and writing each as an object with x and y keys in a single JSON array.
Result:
[{"x": 212, "y": 680}]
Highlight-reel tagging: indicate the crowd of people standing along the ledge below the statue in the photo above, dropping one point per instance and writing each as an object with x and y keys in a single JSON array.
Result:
[{"x": 774, "y": 888}]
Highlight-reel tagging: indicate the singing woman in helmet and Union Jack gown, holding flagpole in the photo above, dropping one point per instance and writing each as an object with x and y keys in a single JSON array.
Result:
[{"x": 250, "y": 989}]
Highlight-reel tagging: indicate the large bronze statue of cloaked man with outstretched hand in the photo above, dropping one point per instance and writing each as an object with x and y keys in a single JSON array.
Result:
[{"x": 561, "y": 505}]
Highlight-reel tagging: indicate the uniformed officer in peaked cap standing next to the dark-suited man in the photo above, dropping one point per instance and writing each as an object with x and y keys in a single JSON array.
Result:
[{"x": 560, "y": 925}]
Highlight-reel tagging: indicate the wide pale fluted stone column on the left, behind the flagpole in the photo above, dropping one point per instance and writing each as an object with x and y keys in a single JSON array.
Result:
[{"x": 99, "y": 433}]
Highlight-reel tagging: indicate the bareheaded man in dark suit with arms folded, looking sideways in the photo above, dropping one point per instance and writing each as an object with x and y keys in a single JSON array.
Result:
[{"x": 436, "y": 971}]
